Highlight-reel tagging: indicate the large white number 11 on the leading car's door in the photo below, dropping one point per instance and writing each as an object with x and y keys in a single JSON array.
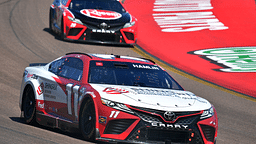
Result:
[{"x": 69, "y": 97}]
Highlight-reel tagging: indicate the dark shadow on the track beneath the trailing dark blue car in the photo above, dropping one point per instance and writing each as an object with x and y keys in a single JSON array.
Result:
[{"x": 57, "y": 37}]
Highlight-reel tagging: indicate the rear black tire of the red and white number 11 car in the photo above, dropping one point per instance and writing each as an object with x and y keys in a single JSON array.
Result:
[{"x": 29, "y": 106}]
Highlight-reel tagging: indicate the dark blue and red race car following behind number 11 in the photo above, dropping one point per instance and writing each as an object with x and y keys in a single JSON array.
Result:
[{"x": 97, "y": 21}]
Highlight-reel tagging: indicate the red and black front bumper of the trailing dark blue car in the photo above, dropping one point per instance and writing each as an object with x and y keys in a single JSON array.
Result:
[{"x": 78, "y": 32}]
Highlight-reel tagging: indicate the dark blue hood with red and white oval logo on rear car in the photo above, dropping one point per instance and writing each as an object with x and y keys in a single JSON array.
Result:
[{"x": 100, "y": 16}]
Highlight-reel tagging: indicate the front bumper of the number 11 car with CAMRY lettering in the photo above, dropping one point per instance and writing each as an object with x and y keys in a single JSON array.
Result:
[{"x": 151, "y": 128}]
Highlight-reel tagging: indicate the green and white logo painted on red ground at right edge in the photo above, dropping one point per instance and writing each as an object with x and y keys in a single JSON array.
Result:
[{"x": 235, "y": 59}]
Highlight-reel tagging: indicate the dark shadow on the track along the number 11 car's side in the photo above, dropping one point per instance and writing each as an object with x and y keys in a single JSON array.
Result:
[{"x": 75, "y": 135}]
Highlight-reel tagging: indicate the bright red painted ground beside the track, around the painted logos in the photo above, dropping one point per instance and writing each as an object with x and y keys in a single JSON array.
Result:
[{"x": 173, "y": 47}]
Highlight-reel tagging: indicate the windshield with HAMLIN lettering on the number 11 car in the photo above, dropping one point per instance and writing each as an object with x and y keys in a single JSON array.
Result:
[{"x": 130, "y": 74}]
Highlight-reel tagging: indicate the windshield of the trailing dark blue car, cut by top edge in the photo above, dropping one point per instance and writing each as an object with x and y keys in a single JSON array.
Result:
[{"x": 97, "y": 4}]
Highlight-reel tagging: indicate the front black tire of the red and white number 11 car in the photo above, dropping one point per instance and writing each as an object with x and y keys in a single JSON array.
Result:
[{"x": 88, "y": 120}]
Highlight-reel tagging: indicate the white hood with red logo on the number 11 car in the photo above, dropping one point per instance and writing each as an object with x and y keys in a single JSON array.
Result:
[{"x": 161, "y": 99}]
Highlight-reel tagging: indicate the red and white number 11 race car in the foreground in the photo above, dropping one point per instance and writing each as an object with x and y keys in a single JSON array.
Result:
[{"x": 113, "y": 98}]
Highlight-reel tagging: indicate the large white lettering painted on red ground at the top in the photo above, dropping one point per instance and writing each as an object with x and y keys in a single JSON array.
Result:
[{"x": 185, "y": 16}]
